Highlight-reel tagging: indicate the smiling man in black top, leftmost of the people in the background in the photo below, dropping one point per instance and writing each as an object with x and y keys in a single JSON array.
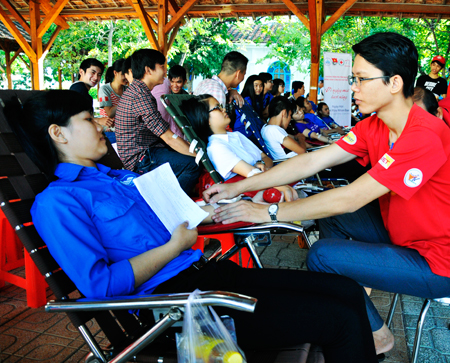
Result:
[{"x": 89, "y": 74}]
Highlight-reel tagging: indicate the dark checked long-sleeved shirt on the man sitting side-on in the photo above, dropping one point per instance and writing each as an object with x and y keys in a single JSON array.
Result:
[{"x": 139, "y": 125}]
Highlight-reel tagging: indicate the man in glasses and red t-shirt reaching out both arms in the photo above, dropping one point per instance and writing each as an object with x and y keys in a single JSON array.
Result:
[{"x": 406, "y": 247}]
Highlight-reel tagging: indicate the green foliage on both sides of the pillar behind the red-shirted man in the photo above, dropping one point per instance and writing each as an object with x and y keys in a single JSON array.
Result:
[{"x": 292, "y": 45}]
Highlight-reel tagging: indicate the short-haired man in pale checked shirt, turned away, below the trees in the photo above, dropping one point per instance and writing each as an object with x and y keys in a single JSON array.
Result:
[{"x": 221, "y": 87}]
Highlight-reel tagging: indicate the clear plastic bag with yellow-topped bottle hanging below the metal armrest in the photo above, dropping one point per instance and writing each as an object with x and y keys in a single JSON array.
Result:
[{"x": 204, "y": 338}]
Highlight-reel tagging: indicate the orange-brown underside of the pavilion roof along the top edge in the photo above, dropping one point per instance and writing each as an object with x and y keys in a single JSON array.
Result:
[{"x": 92, "y": 10}]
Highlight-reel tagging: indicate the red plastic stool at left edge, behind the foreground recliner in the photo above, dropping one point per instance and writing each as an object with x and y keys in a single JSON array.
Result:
[{"x": 12, "y": 257}]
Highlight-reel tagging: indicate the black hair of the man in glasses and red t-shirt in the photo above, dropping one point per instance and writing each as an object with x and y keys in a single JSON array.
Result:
[{"x": 393, "y": 54}]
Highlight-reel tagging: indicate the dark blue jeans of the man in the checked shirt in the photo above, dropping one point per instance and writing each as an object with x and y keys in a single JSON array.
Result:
[{"x": 183, "y": 166}]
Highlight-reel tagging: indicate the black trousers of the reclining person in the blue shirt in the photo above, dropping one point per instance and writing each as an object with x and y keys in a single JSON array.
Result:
[{"x": 293, "y": 307}]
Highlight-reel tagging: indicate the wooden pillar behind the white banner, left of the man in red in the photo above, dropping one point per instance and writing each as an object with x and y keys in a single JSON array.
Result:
[{"x": 315, "y": 8}]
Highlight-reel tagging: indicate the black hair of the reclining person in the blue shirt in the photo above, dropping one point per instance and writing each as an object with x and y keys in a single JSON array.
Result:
[{"x": 30, "y": 122}]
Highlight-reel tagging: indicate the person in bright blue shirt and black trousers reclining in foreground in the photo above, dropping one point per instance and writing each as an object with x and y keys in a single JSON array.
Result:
[{"x": 110, "y": 242}]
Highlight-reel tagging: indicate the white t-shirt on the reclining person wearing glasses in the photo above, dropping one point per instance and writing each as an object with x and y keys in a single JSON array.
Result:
[{"x": 226, "y": 150}]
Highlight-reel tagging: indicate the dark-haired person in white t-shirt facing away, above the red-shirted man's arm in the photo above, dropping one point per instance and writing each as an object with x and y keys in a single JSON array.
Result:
[{"x": 274, "y": 132}]
